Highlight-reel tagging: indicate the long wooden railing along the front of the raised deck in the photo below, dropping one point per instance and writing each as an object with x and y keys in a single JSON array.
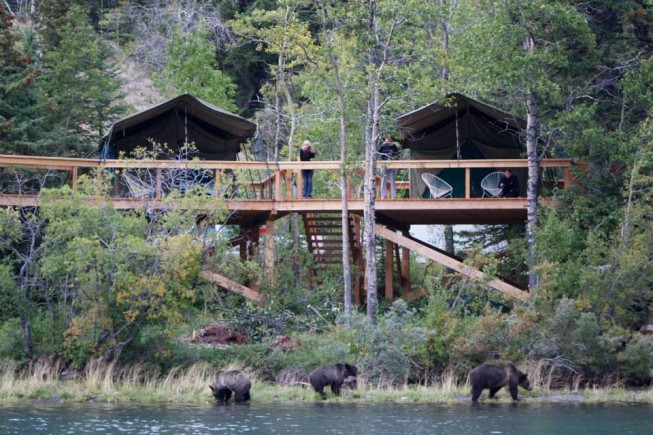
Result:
[{"x": 255, "y": 180}]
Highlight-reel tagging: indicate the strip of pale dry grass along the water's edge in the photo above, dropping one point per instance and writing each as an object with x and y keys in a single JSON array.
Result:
[{"x": 135, "y": 384}]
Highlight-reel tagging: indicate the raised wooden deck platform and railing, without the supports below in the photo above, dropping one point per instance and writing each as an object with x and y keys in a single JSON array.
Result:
[{"x": 271, "y": 196}]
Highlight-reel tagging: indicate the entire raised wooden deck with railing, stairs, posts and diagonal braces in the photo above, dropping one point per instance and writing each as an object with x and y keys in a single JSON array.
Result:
[{"x": 265, "y": 192}]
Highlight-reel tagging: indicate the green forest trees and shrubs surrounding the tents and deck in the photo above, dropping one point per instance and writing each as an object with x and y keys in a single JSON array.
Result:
[{"x": 80, "y": 283}]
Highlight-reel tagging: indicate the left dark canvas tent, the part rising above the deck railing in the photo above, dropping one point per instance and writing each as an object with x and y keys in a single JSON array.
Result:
[{"x": 217, "y": 134}]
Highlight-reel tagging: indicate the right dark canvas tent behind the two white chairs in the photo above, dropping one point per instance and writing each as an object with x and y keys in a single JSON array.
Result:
[{"x": 461, "y": 128}]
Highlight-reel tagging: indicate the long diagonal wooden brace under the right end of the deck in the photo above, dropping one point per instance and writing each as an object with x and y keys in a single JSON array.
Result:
[{"x": 450, "y": 262}]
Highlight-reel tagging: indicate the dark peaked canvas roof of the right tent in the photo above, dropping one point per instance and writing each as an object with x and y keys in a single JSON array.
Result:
[{"x": 429, "y": 118}]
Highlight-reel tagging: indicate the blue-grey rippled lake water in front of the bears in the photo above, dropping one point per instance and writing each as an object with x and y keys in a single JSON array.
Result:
[{"x": 329, "y": 418}]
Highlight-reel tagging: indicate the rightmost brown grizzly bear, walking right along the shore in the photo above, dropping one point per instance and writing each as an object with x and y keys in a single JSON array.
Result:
[{"x": 496, "y": 376}]
